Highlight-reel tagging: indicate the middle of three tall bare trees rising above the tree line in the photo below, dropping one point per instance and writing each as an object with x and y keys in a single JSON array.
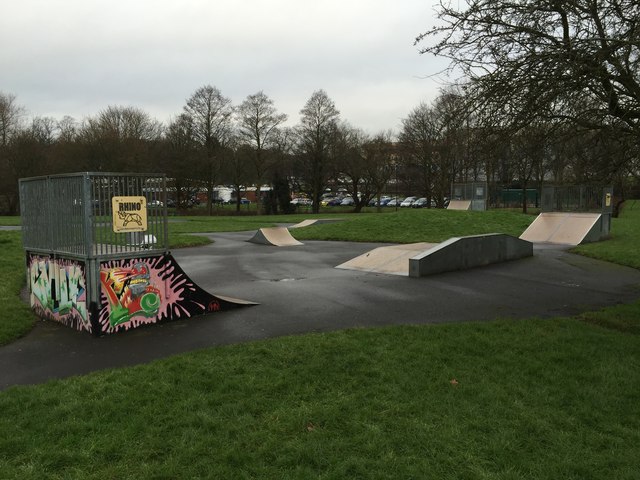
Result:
[{"x": 258, "y": 121}]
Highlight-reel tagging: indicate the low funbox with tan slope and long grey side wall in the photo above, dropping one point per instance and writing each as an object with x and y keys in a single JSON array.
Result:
[{"x": 422, "y": 259}]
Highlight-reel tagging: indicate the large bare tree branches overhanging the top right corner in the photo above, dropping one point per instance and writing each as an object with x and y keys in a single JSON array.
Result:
[{"x": 574, "y": 60}]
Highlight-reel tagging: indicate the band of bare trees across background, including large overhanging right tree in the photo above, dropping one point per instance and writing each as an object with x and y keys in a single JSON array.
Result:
[{"x": 546, "y": 91}]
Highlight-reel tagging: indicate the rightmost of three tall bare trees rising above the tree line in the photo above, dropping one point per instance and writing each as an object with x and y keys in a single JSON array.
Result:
[{"x": 316, "y": 133}]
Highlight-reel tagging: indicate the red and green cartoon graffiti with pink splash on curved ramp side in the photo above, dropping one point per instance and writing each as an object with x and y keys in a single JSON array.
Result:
[{"x": 147, "y": 290}]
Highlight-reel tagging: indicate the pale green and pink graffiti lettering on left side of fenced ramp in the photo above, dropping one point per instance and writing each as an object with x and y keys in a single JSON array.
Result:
[{"x": 58, "y": 290}]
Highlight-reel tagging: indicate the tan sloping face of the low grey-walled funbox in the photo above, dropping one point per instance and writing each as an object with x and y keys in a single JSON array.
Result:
[{"x": 392, "y": 260}]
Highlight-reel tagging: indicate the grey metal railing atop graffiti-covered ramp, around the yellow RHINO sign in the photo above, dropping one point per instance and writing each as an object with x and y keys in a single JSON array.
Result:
[{"x": 72, "y": 215}]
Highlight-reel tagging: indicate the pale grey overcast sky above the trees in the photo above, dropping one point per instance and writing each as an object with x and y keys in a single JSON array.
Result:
[{"x": 77, "y": 57}]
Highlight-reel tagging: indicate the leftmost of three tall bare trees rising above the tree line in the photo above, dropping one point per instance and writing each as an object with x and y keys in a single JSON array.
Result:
[{"x": 210, "y": 114}]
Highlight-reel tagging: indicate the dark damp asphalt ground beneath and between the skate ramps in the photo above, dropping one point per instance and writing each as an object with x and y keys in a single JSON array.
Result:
[{"x": 299, "y": 291}]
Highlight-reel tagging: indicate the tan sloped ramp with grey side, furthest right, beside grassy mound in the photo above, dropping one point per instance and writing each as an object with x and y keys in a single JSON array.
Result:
[{"x": 564, "y": 228}]
